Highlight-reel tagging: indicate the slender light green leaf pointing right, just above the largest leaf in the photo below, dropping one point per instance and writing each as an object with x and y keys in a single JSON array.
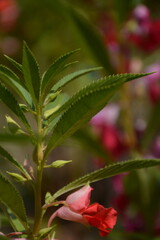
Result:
[{"x": 70, "y": 77}]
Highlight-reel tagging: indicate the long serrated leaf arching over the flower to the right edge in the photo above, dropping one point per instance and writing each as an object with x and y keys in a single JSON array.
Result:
[{"x": 106, "y": 172}]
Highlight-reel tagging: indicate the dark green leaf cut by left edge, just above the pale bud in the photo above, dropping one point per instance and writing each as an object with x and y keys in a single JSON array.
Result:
[{"x": 9, "y": 100}]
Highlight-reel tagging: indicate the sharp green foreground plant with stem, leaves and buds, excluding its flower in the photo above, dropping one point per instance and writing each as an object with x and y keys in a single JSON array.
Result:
[{"x": 57, "y": 118}]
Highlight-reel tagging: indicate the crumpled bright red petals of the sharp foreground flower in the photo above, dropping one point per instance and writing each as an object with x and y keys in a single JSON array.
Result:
[{"x": 102, "y": 218}]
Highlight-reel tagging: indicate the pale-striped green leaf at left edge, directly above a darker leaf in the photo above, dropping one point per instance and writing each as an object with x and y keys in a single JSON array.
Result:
[{"x": 11, "y": 79}]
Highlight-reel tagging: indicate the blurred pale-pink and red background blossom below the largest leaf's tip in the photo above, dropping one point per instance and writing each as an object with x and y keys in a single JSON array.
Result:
[{"x": 110, "y": 135}]
